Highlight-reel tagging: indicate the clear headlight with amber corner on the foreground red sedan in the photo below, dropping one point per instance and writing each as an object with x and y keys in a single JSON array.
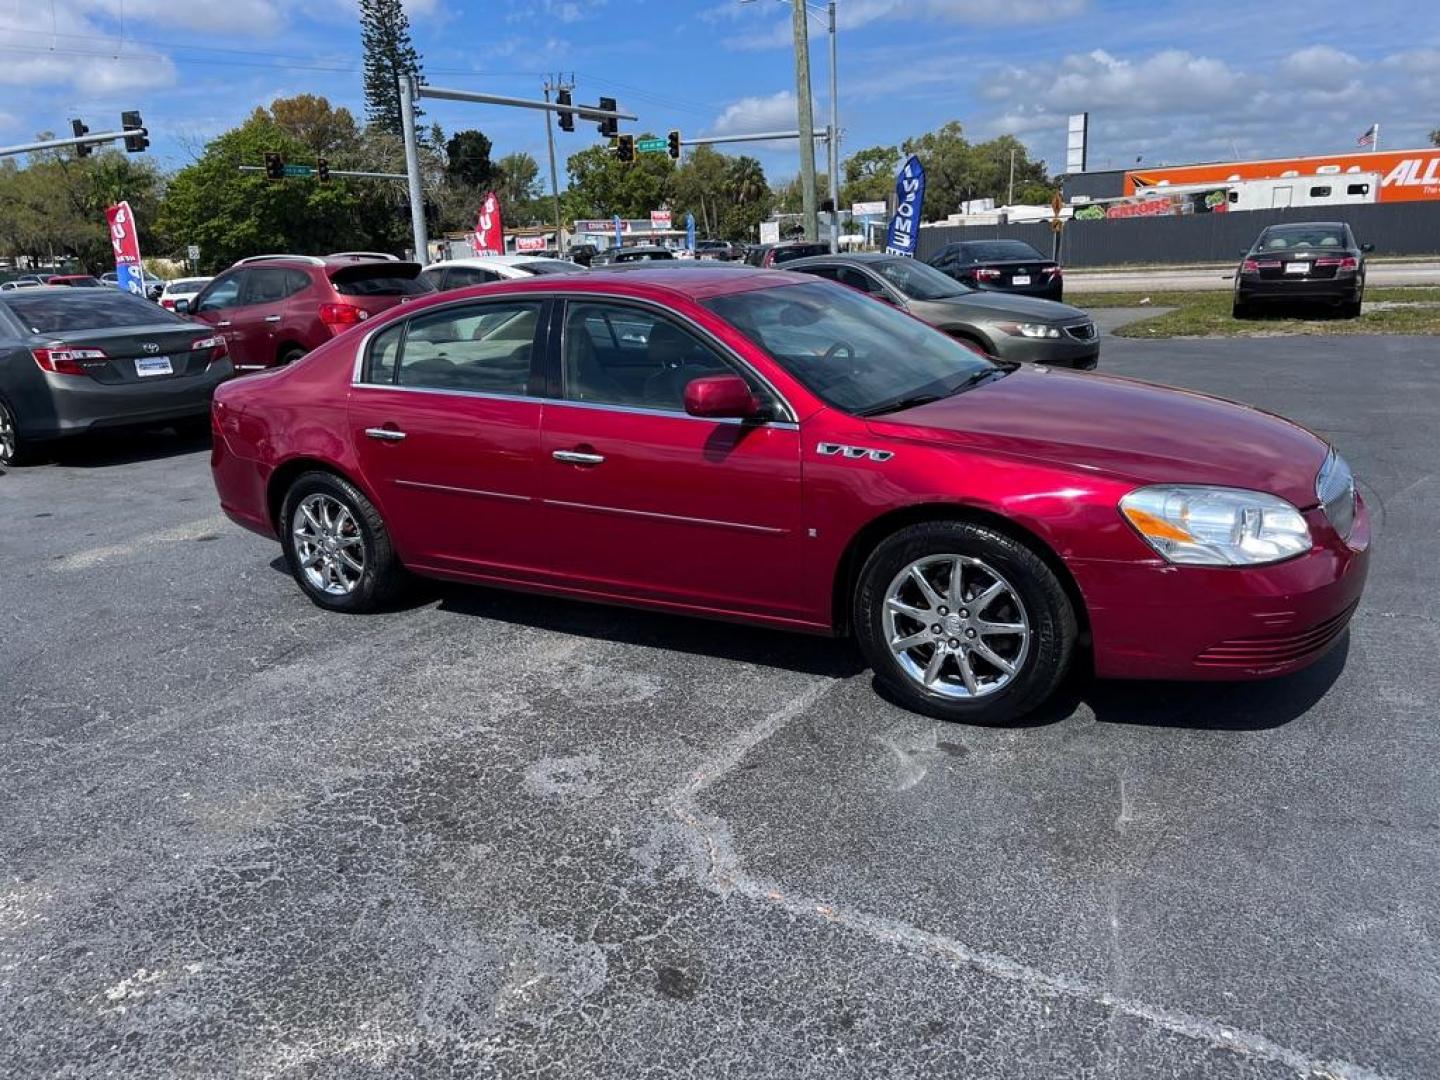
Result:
[{"x": 1200, "y": 526}]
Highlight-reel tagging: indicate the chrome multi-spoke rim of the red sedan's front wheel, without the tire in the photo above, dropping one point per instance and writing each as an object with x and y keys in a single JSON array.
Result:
[{"x": 957, "y": 627}]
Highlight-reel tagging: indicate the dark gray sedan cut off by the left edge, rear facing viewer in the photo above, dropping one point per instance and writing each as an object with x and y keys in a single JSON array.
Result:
[{"x": 73, "y": 361}]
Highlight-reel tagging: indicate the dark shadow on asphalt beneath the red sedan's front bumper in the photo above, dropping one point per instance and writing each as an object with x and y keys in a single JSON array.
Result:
[{"x": 1216, "y": 706}]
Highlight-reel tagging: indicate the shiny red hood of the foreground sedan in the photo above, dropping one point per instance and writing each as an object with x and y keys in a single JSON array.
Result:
[{"x": 1124, "y": 428}]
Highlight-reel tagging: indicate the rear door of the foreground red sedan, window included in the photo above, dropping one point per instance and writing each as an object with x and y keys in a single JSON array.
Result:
[{"x": 446, "y": 423}]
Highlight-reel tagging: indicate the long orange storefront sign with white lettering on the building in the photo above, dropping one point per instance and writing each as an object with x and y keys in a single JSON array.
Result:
[{"x": 1406, "y": 175}]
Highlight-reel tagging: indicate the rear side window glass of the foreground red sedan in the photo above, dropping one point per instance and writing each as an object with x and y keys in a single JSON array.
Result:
[{"x": 473, "y": 348}]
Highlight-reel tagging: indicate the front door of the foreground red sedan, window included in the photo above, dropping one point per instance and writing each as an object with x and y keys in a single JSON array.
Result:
[{"x": 642, "y": 499}]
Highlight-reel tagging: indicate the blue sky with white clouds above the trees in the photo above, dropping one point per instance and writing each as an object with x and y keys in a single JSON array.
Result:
[{"x": 1164, "y": 80}]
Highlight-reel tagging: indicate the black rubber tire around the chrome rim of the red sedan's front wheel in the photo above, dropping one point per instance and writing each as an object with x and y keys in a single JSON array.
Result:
[{"x": 1049, "y": 611}]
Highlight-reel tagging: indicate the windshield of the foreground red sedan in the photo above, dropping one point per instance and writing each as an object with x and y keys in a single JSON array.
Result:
[{"x": 849, "y": 351}]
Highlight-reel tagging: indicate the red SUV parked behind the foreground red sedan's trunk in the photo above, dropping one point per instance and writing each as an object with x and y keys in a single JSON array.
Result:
[{"x": 274, "y": 309}]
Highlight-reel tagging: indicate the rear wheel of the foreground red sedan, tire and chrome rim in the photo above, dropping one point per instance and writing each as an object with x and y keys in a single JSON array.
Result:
[{"x": 338, "y": 545}]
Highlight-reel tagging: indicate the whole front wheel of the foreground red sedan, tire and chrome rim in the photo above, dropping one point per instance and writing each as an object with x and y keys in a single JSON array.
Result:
[{"x": 964, "y": 623}]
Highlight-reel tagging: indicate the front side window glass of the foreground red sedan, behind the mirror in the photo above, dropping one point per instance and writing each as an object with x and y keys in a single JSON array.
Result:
[{"x": 617, "y": 355}]
